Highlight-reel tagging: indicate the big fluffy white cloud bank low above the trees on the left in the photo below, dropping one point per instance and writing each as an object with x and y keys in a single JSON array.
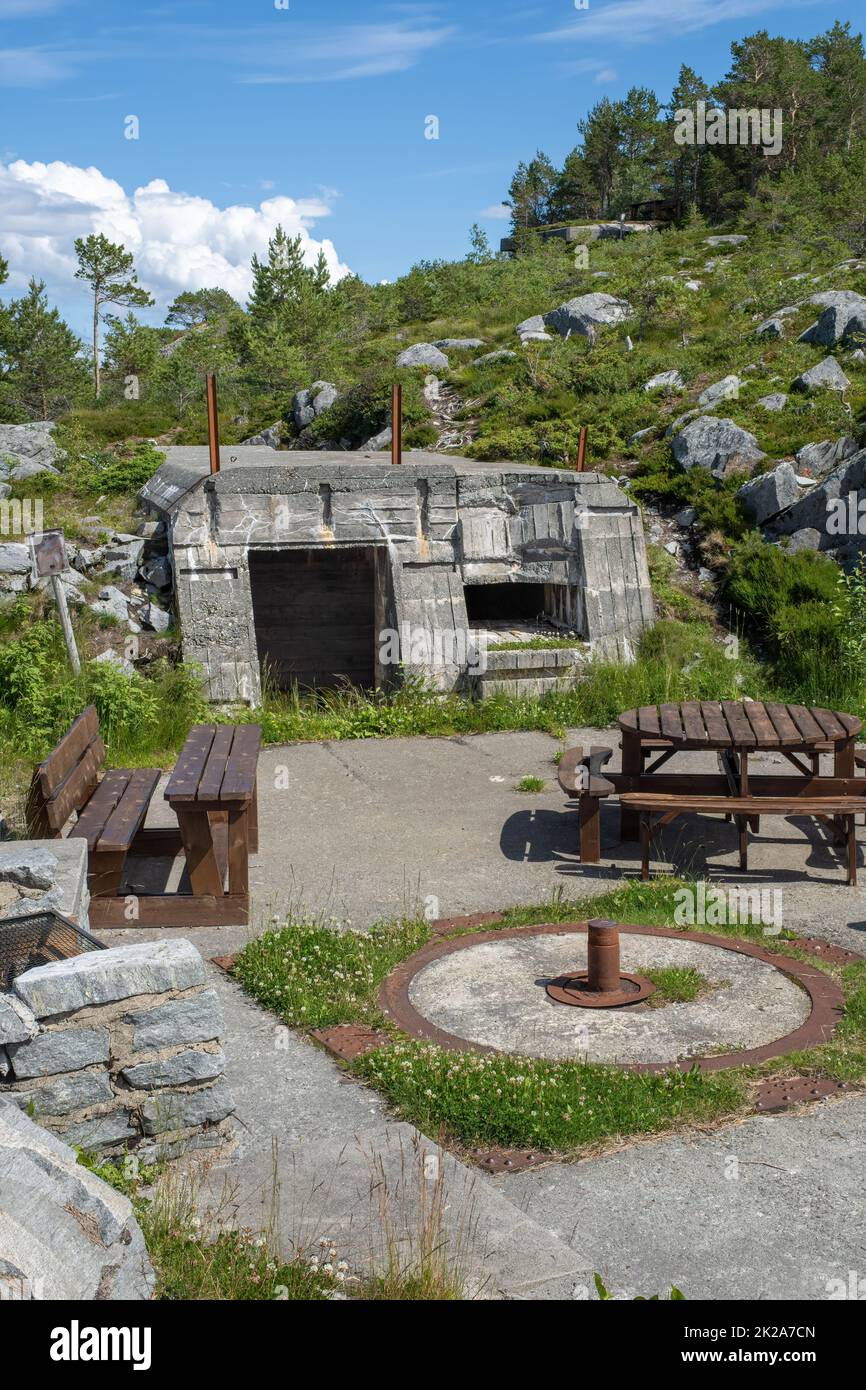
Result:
[{"x": 180, "y": 241}]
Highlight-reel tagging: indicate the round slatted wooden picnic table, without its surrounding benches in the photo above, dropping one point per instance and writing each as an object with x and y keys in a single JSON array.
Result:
[{"x": 737, "y": 729}]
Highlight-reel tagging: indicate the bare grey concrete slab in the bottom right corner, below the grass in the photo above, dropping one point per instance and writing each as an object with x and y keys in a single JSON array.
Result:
[{"x": 769, "y": 1210}]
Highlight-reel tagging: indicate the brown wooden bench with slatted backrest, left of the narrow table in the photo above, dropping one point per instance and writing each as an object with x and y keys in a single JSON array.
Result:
[{"x": 109, "y": 814}]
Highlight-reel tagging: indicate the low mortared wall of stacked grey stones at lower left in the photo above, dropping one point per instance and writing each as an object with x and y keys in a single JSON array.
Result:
[{"x": 119, "y": 1050}]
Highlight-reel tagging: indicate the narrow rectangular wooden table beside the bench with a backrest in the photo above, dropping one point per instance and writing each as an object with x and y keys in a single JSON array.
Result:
[{"x": 215, "y": 785}]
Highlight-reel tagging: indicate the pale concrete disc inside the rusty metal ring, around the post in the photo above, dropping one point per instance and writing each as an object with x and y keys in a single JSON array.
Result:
[{"x": 496, "y": 995}]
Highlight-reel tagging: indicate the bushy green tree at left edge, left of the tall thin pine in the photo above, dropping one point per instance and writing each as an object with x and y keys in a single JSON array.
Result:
[{"x": 41, "y": 358}]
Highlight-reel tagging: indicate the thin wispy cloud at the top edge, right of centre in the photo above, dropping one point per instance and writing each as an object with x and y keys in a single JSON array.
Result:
[{"x": 643, "y": 22}]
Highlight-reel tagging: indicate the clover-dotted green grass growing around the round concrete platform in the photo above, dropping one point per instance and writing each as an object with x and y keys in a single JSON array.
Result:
[{"x": 313, "y": 976}]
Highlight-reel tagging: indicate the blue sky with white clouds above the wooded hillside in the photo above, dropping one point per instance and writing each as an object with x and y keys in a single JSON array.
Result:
[{"x": 316, "y": 116}]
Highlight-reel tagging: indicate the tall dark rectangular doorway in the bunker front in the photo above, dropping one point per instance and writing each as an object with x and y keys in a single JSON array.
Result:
[{"x": 315, "y": 615}]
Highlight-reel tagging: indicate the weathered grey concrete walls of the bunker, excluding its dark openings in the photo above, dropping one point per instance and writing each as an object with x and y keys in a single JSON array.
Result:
[{"x": 441, "y": 523}]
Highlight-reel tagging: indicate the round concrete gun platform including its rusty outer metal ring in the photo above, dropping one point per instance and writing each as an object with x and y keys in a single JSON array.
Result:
[{"x": 487, "y": 992}]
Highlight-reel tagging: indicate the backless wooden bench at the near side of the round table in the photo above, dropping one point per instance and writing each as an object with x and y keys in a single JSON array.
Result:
[{"x": 839, "y": 811}]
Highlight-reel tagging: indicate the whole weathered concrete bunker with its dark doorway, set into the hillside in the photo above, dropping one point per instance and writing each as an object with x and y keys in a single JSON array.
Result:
[{"x": 320, "y": 569}]
